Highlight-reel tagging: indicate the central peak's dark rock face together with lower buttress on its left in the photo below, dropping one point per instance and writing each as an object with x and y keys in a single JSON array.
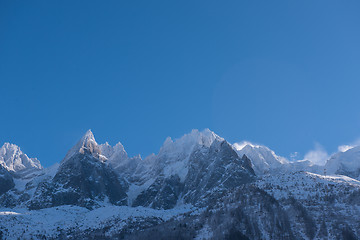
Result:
[{"x": 211, "y": 170}]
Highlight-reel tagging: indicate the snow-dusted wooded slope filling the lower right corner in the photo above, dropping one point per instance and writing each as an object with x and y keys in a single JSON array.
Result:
[{"x": 318, "y": 206}]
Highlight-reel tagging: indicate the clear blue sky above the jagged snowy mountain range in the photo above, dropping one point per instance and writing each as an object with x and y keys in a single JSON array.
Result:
[{"x": 281, "y": 73}]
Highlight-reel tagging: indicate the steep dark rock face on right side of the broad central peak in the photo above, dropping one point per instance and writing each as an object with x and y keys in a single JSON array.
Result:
[{"x": 215, "y": 170}]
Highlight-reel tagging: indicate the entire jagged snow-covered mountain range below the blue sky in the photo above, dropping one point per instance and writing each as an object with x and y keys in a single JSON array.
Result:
[{"x": 196, "y": 187}]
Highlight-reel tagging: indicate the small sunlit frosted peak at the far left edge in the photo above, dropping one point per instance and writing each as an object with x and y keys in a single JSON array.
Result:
[{"x": 13, "y": 159}]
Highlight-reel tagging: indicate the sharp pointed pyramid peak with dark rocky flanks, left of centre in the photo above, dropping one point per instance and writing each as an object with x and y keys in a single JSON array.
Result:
[{"x": 82, "y": 179}]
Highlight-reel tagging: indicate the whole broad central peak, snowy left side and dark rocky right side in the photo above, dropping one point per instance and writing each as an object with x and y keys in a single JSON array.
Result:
[{"x": 191, "y": 169}]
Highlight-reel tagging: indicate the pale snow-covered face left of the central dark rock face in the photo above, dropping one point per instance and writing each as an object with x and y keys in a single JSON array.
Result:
[{"x": 169, "y": 165}]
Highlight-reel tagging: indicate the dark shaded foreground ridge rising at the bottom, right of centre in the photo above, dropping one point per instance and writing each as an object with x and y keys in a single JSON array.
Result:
[{"x": 245, "y": 217}]
